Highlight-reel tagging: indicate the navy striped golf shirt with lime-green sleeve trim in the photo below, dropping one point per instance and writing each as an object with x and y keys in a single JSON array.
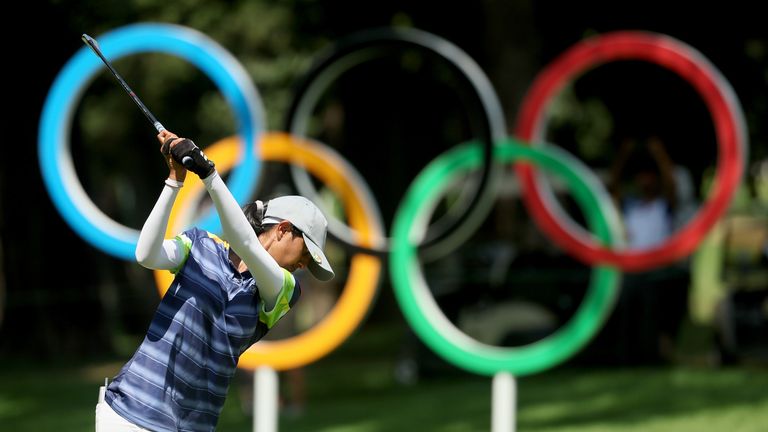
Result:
[{"x": 178, "y": 378}]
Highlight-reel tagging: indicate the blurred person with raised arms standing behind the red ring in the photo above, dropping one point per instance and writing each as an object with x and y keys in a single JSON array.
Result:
[{"x": 656, "y": 198}]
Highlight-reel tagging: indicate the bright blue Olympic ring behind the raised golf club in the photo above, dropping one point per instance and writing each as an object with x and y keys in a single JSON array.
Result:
[{"x": 53, "y": 147}]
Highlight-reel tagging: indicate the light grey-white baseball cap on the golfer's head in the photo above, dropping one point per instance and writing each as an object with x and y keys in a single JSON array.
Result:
[{"x": 305, "y": 216}]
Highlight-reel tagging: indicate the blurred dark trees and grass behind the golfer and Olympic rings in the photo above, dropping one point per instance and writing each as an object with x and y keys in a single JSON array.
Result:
[{"x": 686, "y": 347}]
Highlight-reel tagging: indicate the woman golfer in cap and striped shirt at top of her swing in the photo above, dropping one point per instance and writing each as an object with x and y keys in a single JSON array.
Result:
[{"x": 226, "y": 294}]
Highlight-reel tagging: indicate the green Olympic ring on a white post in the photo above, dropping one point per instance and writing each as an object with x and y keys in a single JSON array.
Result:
[{"x": 418, "y": 304}]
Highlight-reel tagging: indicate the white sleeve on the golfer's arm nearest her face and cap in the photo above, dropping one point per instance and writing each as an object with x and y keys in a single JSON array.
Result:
[{"x": 243, "y": 240}]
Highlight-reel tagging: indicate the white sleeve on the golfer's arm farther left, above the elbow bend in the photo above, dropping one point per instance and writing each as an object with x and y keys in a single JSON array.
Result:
[{"x": 152, "y": 250}]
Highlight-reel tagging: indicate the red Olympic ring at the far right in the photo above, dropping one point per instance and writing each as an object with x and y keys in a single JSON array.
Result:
[{"x": 720, "y": 100}]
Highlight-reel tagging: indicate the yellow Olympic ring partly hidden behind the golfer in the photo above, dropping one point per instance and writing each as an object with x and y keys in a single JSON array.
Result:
[{"x": 364, "y": 271}]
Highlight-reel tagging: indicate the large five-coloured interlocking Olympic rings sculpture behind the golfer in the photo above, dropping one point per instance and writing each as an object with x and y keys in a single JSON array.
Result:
[{"x": 365, "y": 233}]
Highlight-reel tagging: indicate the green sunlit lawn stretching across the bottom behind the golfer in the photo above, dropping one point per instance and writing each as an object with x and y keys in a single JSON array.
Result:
[{"x": 353, "y": 390}]
